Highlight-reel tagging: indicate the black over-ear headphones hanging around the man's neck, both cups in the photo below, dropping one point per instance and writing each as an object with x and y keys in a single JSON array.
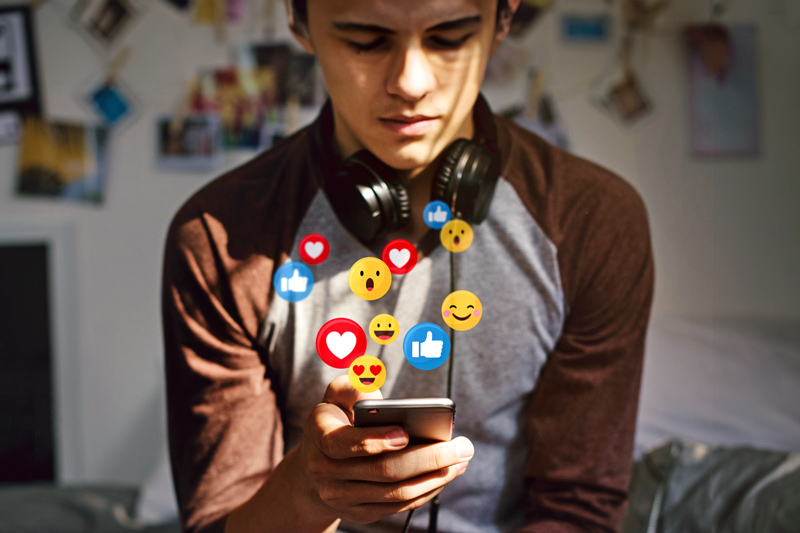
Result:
[{"x": 370, "y": 201}]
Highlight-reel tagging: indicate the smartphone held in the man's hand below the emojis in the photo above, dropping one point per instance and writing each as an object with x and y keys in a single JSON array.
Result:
[{"x": 426, "y": 420}]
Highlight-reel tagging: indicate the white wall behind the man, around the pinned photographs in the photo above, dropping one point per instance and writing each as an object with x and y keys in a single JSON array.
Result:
[{"x": 726, "y": 233}]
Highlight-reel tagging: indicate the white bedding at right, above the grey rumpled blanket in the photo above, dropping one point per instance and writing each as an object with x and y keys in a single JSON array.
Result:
[{"x": 726, "y": 383}]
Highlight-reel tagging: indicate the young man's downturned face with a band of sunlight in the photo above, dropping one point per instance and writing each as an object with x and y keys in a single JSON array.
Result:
[{"x": 403, "y": 76}]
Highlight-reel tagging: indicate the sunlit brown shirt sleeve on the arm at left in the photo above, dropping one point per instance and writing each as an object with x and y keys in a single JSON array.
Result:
[{"x": 224, "y": 426}]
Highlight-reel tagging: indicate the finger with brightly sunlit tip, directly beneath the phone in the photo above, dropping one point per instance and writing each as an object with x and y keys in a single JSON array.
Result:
[{"x": 406, "y": 464}]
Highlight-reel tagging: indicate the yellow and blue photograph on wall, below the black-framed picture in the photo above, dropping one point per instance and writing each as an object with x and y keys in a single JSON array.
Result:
[{"x": 62, "y": 160}]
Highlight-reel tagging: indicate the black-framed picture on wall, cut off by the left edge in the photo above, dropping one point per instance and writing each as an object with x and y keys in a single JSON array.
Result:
[{"x": 19, "y": 80}]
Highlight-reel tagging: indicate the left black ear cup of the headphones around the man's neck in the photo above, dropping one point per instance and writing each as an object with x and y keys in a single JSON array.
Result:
[{"x": 366, "y": 199}]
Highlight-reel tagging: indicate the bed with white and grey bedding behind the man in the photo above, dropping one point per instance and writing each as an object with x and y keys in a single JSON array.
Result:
[{"x": 717, "y": 445}]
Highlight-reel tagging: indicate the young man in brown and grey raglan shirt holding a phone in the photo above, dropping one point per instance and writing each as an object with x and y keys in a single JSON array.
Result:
[{"x": 546, "y": 385}]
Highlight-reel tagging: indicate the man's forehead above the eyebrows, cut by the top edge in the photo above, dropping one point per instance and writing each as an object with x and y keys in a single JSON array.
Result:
[{"x": 400, "y": 14}]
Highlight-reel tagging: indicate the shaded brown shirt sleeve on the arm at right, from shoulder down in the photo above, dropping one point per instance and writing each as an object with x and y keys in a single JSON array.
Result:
[{"x": 582, "y": 415}]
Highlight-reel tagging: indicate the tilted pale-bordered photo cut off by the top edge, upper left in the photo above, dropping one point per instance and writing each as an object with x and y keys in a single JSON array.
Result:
[{"x": 105, "y": 22}]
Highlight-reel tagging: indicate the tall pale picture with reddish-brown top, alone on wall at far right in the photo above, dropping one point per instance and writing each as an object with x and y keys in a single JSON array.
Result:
[{"x": 723, "y": 91}]
